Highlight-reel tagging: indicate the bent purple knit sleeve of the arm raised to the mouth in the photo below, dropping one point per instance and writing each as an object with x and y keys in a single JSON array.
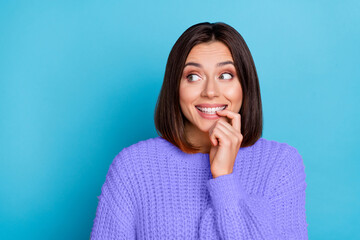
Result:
[{"x": 234, "y": 214}]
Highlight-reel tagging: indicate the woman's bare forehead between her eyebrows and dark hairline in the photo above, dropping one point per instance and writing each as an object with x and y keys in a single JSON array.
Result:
[{"x": 210, "y": 50}]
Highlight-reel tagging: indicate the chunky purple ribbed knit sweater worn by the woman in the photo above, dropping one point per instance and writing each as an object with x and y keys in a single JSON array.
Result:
[{"x": 153, "y": 190}]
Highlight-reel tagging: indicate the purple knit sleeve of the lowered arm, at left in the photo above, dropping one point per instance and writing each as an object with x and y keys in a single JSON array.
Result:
[{"x": 115, "y": 217}]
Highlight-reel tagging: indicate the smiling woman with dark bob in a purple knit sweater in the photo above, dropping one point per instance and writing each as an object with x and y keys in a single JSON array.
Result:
[{"x": 210, "y": 175}]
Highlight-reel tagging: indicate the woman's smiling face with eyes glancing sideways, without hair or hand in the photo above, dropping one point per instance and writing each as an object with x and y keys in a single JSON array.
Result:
[{"x": 209, "y": 77}]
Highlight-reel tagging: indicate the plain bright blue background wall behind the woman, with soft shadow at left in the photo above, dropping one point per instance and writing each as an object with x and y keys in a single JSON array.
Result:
[{"x": 79, "y": 81}]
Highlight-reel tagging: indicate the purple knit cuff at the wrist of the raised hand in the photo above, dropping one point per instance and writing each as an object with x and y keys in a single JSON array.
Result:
[{"x": 225, "y": 191}]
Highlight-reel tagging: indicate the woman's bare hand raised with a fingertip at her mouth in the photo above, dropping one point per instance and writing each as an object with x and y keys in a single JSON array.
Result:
[{"x": 225, "y": 140}]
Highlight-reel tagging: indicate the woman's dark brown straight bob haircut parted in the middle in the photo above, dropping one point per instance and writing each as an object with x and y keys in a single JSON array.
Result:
[{"x": 170, "y": 120}]
